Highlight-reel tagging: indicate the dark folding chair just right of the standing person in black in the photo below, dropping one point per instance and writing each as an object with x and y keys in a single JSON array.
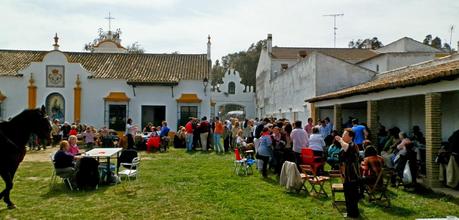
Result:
[{"x": 377, "y": 191}]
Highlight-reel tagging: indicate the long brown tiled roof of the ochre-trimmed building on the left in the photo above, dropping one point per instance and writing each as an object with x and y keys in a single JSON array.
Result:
[{"x": 135, "y": 68}]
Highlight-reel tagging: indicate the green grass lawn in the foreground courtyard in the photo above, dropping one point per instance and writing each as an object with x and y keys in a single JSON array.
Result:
[{"x": 177, "y": 185}]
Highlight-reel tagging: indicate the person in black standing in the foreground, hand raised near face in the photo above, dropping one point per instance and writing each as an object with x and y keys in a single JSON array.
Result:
[{"x": 350, "y": 160}]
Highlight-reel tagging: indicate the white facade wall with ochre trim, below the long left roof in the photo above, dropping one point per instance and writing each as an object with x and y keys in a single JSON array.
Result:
[{"x": 93, "y": 93}]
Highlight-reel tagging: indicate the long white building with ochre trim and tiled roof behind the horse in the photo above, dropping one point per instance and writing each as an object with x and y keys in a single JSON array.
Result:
[{"x": 106, "y": 87}]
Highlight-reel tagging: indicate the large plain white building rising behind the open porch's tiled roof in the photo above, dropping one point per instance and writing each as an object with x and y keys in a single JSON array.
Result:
[{"x": 287, "y": 76}]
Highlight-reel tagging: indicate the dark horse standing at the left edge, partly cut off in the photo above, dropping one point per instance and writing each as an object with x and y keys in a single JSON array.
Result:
[{"x": 14, "y": 135}]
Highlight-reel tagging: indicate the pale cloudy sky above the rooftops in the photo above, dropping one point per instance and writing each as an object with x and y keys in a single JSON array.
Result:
[{"x": 166, "y": 26}]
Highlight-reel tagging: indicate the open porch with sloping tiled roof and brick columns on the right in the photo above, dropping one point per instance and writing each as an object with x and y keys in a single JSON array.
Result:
[{"x": 425, "y": 94}]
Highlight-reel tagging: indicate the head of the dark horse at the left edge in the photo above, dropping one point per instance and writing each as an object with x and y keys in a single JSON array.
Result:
[{"x": 39, "y": 123}]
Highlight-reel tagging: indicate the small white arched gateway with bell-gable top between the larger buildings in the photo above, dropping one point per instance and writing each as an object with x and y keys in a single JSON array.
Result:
[{"x": 232, "y": 95}]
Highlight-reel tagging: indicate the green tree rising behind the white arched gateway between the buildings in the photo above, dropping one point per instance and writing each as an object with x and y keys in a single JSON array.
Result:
[{"x": 245, "y": 62}]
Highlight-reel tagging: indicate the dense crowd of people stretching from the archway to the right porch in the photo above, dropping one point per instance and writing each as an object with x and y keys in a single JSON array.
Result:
[{"x": 278, "y": 140}]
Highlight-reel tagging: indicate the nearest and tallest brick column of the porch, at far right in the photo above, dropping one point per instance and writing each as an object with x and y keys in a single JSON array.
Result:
[{"x": 433, "y": 136}]
